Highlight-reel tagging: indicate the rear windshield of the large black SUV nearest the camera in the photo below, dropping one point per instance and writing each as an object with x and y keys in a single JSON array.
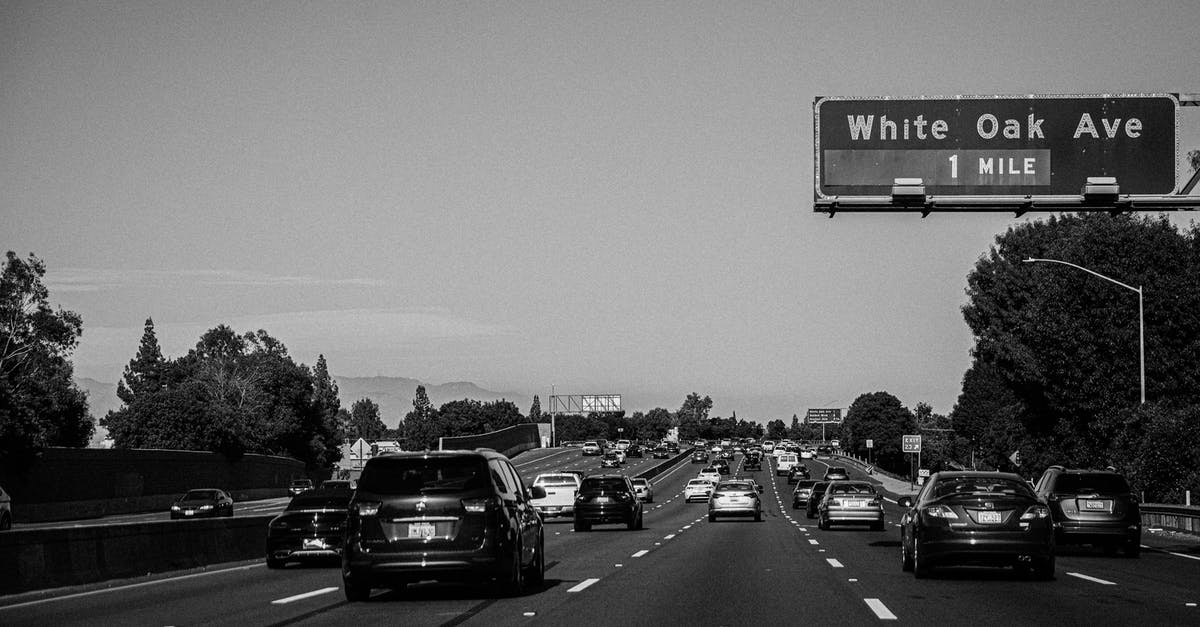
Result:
[{"x": 405, "y": 476}]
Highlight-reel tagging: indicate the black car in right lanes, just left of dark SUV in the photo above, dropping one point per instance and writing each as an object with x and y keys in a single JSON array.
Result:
[{"x": 979, "y": 519}]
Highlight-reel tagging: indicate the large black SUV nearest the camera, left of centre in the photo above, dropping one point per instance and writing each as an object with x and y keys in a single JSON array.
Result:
[{"x": 447, "y": 516}]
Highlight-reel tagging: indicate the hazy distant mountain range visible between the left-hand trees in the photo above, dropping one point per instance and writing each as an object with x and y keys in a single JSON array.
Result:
[{"x": 394, "y": 396}]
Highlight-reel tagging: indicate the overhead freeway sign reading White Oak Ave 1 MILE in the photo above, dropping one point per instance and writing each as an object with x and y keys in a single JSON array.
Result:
[{"x": 997, "y": 146}]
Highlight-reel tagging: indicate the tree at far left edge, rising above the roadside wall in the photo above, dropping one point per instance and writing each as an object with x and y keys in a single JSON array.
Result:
[{"x": 40, "y": 405}]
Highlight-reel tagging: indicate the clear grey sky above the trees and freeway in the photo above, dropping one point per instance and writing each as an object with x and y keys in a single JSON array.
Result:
[{"x": 603, "y": 198}]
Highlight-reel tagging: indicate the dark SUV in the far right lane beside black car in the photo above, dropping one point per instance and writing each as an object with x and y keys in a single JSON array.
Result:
[{"x": 1093, "y": 507}]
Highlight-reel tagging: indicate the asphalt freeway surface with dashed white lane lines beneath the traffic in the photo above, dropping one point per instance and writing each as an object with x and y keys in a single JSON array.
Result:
[{"x": 681, "y": 569}]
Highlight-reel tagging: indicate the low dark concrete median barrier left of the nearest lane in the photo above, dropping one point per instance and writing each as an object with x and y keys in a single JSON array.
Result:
[{"x": 56, "y": 558}]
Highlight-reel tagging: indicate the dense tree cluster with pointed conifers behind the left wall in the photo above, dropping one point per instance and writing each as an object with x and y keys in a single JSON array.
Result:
[{"x": 231, "y": 395}]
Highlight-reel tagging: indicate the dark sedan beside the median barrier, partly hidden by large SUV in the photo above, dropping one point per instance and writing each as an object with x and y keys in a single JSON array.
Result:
[{"x": 313, "y": 528}]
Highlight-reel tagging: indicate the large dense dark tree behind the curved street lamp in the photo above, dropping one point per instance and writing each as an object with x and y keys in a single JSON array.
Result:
[{"x": 1064, "y": 344}]
